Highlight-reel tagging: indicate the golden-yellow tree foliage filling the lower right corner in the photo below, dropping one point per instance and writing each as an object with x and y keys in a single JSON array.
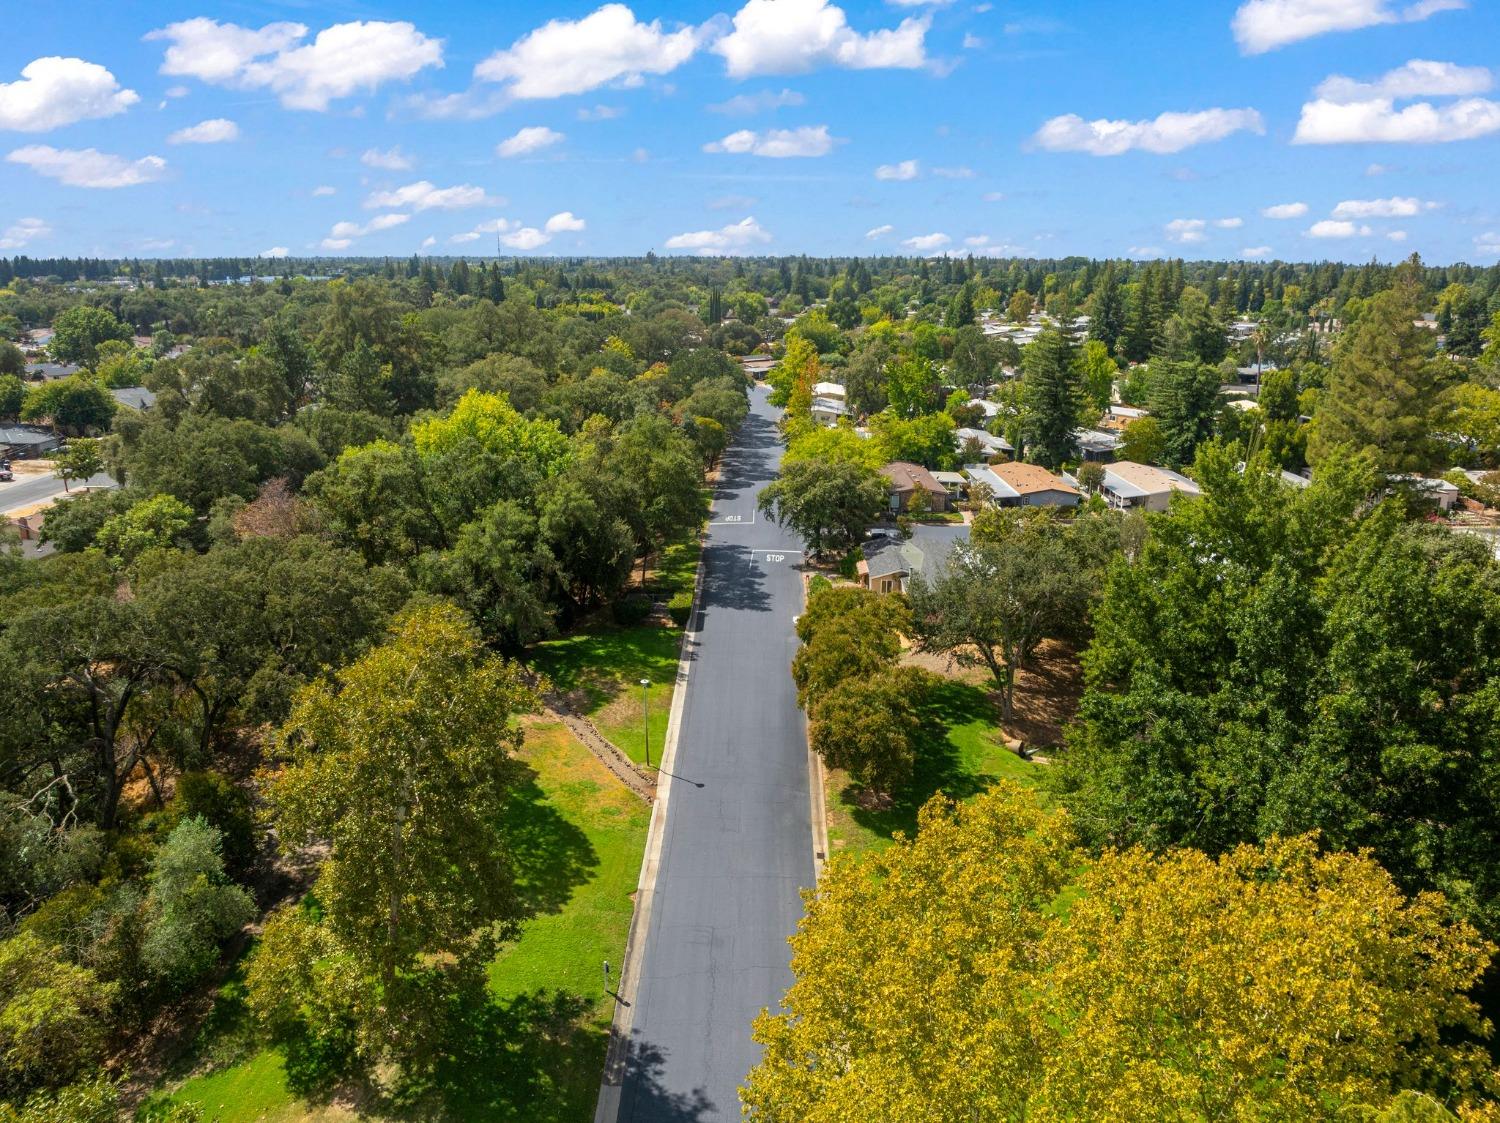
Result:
[{"x": 952, "y": 978}]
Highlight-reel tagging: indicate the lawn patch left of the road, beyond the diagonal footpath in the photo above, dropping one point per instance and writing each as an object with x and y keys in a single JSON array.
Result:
[{"x": 601, "y": 671}]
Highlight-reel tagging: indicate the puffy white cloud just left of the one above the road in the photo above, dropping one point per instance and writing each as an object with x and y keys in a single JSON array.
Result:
[{"x": 575, "y": 56}]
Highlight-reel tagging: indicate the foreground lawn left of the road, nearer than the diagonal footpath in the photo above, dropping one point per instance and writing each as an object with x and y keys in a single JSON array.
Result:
[{"x": 538, "y": 1050}]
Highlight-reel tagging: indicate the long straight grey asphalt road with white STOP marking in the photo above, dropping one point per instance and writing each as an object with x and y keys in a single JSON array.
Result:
[{"x": 737, "y": 845}]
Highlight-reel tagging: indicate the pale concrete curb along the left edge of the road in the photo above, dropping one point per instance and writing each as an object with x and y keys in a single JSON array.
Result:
[{"x": 623, "y": 1023}]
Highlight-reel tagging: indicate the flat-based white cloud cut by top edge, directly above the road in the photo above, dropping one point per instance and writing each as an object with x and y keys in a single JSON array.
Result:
[{"x": 793, "y": 37}]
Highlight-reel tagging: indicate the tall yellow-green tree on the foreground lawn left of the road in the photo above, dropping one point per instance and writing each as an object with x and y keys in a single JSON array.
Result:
[{"x": 404, "y": 768}]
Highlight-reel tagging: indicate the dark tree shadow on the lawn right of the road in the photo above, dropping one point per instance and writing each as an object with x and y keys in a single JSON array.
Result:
[{"x": 940, "y": 764}]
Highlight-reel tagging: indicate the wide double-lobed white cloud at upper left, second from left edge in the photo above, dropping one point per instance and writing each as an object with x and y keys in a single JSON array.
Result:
[{"x": 341, "y": 61}]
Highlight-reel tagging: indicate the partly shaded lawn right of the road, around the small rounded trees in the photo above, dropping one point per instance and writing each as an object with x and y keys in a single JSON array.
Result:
[{"x": 961, "y": 758}]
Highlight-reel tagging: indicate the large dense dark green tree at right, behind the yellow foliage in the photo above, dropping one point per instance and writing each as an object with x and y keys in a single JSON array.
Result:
[{"x": 1285, "y": 659}]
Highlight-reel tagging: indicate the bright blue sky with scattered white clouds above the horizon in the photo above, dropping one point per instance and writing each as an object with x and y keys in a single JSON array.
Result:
[{"x": 1298, "y": 130}]
